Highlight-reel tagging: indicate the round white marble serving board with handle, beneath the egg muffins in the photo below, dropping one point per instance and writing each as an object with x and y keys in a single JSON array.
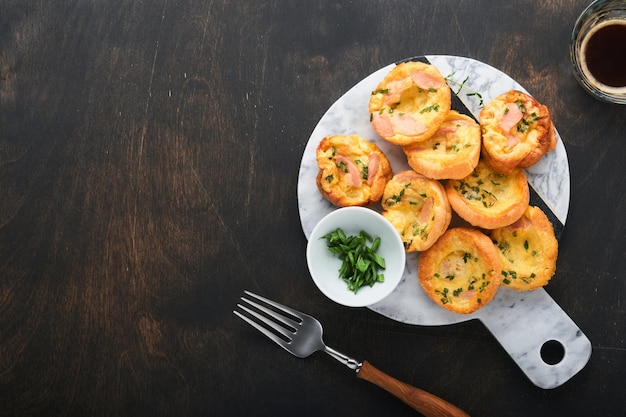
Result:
[{"x": 522, "y": 322}]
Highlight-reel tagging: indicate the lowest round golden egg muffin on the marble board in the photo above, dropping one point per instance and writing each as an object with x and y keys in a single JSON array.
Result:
[{"x": 461, "y": 272}]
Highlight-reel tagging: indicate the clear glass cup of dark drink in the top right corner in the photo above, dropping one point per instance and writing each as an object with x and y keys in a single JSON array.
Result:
[{"x": 598, "y": 50}]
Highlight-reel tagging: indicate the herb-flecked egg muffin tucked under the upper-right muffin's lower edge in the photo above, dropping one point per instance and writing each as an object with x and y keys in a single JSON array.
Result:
[{"x": 489, "y": 199}]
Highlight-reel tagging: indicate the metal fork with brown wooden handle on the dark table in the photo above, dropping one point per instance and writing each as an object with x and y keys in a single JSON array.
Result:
[{"x": 301, "y": 335}]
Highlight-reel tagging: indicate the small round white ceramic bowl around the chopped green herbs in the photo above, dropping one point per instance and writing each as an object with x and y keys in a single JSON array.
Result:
[{"x": 324, "y": 266}]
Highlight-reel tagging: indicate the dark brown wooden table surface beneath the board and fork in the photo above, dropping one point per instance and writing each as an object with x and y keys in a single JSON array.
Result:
[{"x": 149, "y": 155}]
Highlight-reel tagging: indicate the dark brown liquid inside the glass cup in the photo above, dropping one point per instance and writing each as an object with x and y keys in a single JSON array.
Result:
[{"x": 606, "y": 54}]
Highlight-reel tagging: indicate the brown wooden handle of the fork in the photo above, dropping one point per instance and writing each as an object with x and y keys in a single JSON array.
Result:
[{"x": 426, "y": 403}]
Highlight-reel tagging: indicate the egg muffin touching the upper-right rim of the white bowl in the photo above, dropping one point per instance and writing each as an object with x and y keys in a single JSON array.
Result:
[{"x": 418, "y": 209}]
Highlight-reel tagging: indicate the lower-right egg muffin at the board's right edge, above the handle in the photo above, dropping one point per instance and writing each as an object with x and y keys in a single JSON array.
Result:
[{"x": 528, "y": 250}]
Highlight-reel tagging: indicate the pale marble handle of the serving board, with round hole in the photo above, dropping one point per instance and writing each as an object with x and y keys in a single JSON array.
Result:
[{"x": 531, "y": 323}]
